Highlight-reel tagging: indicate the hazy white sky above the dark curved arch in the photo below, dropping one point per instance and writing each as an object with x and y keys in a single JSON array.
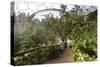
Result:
[{"x": 31, "y": 7}]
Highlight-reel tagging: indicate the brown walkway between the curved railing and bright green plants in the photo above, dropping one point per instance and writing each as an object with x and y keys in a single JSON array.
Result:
[{"x": 65, "y": 57}]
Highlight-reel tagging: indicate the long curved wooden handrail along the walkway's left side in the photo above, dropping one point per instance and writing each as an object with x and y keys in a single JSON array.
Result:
[{"x": 32, "y": 49}]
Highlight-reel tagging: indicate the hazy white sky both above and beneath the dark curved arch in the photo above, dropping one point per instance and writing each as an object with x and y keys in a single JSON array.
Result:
[{"x": 29, "y": 7}]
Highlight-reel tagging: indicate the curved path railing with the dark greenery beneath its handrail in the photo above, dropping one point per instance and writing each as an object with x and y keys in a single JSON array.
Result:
[{"x": 36, "y": 55}]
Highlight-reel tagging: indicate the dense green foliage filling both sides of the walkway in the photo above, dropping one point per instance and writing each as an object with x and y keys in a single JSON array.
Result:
[{"x": 81, "y": 30}]
